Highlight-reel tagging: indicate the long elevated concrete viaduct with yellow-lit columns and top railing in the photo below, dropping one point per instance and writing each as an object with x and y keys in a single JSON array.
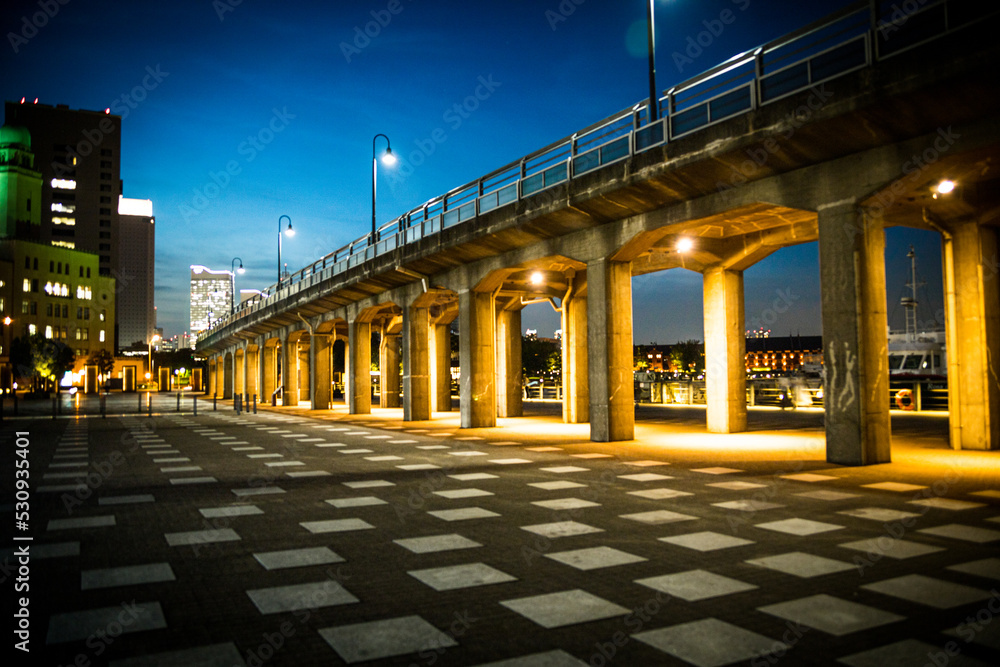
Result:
[{"x": 834, "y": 159}]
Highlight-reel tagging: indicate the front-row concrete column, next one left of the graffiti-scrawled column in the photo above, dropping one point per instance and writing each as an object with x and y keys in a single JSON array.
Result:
[{"x": 609, "y": 351}]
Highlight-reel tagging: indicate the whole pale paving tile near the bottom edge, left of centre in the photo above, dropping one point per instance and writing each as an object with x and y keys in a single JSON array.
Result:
[{"x": 360, "y": 642}]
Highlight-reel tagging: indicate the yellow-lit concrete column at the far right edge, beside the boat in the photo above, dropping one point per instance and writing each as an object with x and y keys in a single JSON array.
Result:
[{"x": 972, "y": 315}]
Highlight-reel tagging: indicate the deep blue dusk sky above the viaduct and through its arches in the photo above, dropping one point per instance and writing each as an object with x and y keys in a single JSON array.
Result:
[{"x": 288, "y": 97}]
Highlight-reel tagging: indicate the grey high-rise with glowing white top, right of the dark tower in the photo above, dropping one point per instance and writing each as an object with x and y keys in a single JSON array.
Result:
[{"x": 137, "y": 318}]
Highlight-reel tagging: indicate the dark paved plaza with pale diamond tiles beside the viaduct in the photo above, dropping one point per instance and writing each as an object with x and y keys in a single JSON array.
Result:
[{"x": 296, "y": 538}]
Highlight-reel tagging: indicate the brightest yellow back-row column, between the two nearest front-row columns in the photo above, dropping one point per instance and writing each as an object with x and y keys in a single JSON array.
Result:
[{"x": 725, "y": 351}]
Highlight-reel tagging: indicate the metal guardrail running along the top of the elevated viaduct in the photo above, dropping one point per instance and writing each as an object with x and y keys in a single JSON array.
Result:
[{"x": 857, "y": 36}]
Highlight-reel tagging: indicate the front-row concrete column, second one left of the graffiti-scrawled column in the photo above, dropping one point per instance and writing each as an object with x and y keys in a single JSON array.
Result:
[{"x": 477, "y": 359}]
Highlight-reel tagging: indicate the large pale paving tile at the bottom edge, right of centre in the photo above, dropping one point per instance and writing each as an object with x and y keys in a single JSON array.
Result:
[{"x": 711, "y": 643}]
